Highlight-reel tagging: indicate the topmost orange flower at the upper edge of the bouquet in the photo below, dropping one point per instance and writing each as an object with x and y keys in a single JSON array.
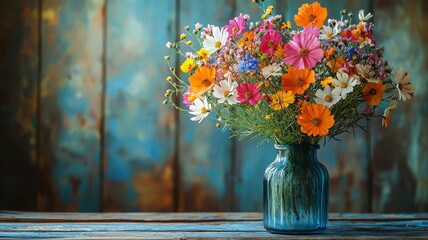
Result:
[{"x": 311, "y": 15}]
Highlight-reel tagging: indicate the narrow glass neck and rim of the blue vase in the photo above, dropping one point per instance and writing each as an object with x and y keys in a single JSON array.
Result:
[{"x": 296, "y": 153}]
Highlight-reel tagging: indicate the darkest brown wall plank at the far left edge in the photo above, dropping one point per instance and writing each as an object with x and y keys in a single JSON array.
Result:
[{"x": 18, "y": 103}]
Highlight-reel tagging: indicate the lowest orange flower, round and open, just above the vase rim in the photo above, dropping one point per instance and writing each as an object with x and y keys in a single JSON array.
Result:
[{"x": 315, "y": 120}]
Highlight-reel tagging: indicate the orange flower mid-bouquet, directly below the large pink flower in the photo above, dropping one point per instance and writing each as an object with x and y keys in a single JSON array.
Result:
[{"x": 297, "y": 80}]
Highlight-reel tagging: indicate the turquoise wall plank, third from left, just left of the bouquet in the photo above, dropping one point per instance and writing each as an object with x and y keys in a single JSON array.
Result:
[{"x": 139, "y": 129}]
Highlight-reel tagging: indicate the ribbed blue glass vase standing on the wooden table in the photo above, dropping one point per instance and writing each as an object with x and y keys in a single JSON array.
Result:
[{"x": 295, "y": 191}]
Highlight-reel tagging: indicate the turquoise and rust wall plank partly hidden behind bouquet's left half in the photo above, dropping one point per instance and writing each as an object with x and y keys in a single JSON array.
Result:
[{"x": 204, "y": 151}]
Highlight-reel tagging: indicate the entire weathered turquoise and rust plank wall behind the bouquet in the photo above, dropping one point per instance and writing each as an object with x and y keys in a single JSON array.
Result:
[{"x": 83, "y": 127}]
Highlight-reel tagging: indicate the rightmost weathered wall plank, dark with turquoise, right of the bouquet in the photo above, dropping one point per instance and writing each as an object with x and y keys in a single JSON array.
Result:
[{"x": 400, "y": 176}]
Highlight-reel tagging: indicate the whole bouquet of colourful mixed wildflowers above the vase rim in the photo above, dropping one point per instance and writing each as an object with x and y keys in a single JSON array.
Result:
[{"x": 291, "y": 85}]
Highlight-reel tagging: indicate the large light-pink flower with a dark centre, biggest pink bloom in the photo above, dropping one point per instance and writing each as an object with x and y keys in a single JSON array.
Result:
[{"x": 303, "y": 51}]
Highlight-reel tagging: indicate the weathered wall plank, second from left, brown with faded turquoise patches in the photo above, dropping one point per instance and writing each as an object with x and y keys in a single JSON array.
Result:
[{"x": 70, "y": 117}]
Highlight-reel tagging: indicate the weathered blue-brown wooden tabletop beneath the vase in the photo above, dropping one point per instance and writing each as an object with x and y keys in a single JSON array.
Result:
[{"x": 200, "y": 225}]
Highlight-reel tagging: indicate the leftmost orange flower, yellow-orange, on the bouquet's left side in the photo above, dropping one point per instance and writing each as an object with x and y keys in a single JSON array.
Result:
[{"x": 202, "y": 80}]
